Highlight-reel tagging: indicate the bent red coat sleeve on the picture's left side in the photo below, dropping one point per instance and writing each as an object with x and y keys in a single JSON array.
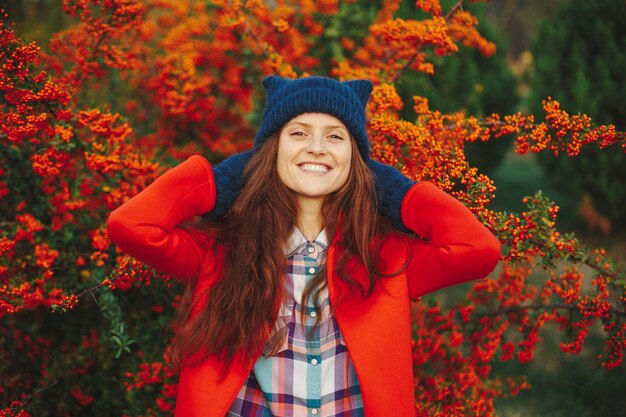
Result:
[{"x": 147, "y": 226}]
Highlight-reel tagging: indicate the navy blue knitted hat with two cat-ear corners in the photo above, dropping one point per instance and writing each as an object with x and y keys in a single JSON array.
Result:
[{"x": 287, "y": 98}]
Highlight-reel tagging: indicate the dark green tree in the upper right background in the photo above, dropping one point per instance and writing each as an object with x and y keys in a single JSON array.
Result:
[{"x": 579, "y": 60}]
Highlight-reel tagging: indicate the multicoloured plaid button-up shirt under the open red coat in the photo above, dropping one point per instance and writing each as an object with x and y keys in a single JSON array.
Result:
[{"x": 308, "y": 376}]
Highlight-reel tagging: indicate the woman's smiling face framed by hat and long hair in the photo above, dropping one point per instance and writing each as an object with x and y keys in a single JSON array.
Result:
[{"x": 314, "y": 155}]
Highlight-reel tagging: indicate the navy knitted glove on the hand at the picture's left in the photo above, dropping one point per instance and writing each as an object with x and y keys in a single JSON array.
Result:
[{"x": 228, "y": 176}]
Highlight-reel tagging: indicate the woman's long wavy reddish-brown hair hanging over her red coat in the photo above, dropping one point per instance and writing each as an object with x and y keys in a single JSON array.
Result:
[{"x": 242, "y": 306}]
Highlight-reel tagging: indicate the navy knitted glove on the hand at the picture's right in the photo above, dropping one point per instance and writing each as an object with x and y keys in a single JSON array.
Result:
[{"x": 391, "y": 187}]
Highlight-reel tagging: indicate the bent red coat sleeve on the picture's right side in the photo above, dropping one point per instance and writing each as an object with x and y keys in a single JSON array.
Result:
[{"x": 458, "y": 246}]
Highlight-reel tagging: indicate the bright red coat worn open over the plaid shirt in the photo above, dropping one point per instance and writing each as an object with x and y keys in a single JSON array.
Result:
[{"x": 376, "y": 329}]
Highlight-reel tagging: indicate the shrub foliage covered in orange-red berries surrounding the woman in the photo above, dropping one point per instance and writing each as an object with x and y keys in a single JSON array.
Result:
[{"x": 133, "y": 82}]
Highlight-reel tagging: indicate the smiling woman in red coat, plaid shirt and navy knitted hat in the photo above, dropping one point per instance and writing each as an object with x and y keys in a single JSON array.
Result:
[{"x": 298, "y": 300}]
